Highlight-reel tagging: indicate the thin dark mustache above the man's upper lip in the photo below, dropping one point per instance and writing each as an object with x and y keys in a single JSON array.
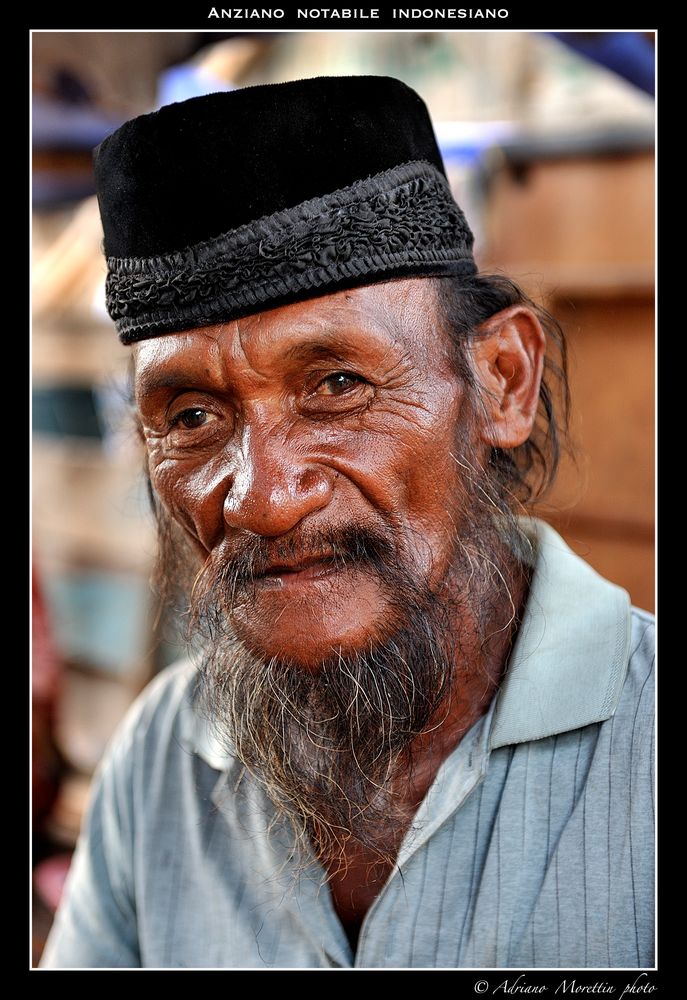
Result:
[{"x": 249, "y": 558}]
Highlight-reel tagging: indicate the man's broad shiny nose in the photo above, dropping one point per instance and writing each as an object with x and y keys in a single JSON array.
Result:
[{"x": 274, "y": 486}]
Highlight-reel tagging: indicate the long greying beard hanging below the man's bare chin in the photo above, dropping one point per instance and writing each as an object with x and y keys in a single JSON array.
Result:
[{"x": 327, "y": 745}]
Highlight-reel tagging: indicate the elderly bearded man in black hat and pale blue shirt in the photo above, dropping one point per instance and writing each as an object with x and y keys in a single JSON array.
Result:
[{"x": 415, "y": 729}]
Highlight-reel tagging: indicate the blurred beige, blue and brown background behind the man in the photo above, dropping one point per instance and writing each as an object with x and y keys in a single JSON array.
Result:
[{"x": 548, "y": 141}]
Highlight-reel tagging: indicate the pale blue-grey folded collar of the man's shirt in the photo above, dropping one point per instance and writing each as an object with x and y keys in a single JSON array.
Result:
[{"x": 569, "y": 658}]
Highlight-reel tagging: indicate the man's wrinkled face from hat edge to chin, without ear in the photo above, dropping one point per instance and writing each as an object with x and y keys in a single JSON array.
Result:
[{"x": 276, "y": 434}]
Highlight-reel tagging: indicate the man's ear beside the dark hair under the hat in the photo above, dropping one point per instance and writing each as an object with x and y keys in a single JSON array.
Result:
[{"x": 508, "y": 358}]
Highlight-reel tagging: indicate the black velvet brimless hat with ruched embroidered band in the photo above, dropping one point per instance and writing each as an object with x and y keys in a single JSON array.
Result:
[{"x": 233, "y": 203}]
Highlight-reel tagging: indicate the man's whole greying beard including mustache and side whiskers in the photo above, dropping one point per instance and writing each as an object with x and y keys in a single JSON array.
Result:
[{"x": 329, "y": 746}]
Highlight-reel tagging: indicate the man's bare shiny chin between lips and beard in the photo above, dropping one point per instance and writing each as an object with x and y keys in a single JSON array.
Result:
[{"x": 307, "y": 621}]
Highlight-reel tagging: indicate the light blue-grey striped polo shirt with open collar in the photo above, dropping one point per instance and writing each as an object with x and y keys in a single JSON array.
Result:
[{"x": 532, "y": 848}]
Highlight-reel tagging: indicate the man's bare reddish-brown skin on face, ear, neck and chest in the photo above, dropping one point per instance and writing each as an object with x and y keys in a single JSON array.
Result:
[{"x": 330, "y": 413}]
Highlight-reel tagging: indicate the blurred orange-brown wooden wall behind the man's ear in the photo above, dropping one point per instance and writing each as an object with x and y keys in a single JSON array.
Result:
[{"x": 578, "y": 233}]
